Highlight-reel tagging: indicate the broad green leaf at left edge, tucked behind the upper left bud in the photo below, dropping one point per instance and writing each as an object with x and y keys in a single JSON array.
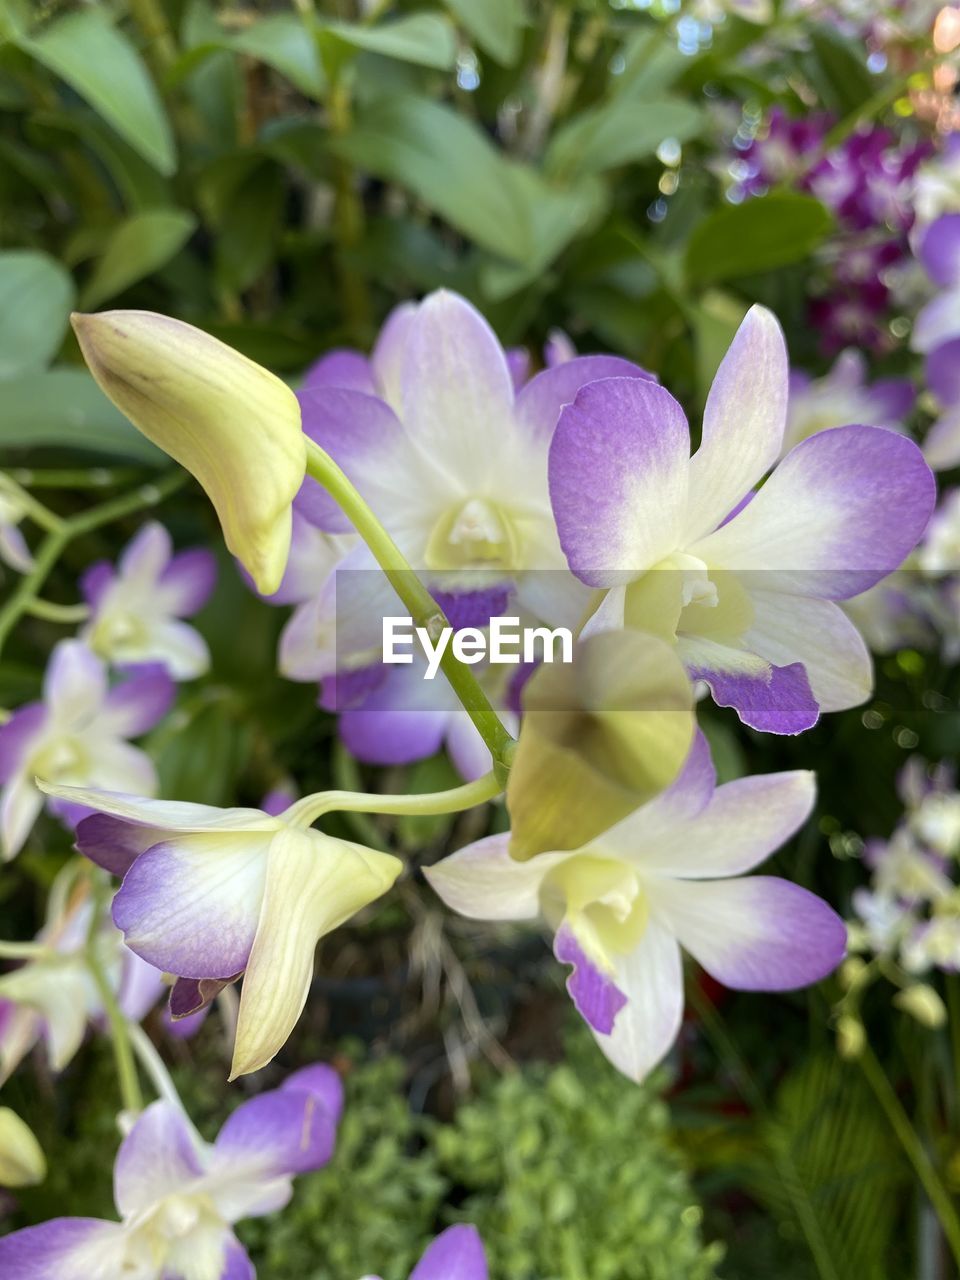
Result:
[{"x": 65, "y": 408}]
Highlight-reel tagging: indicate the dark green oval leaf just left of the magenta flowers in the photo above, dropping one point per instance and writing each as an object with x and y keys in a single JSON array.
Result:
[{"x": 757, "y": 236}]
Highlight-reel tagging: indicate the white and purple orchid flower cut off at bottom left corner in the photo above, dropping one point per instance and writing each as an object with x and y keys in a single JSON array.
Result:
[{"x": 179, "y": 1197}]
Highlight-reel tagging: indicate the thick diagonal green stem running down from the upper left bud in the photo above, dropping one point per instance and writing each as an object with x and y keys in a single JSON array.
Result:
[{"x": 423, "y": 607}]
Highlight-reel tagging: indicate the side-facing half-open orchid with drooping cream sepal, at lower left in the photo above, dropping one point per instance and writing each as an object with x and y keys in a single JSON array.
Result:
[{"x": 212, "y": 894}]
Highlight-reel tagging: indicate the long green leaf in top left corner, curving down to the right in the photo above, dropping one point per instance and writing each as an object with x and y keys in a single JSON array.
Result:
[{"x": 98, "y": 62}]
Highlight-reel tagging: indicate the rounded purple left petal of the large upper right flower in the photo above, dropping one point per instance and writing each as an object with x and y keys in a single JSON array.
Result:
[{"x": 619, "y": 474}]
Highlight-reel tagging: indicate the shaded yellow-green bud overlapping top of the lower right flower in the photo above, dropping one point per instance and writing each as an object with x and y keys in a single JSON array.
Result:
[{"x": 600, "y": 738}]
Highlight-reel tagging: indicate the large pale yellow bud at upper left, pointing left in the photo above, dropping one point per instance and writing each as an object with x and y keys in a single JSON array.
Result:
[{"x": 228, "y": 422}]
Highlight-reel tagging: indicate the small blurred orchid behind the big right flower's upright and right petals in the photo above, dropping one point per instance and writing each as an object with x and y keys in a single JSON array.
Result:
[{"x": 844, "y": 396}]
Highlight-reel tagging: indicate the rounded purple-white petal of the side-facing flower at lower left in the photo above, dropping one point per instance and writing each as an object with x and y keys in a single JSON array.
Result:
[{"x": 191, "y": 906}]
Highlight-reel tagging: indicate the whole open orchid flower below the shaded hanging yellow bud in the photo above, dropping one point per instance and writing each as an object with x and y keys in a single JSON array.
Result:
[{"x": 670, "y": 876}]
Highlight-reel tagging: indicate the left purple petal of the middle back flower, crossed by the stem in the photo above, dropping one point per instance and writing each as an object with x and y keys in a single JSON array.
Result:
[{"x": 364, "y": 437}]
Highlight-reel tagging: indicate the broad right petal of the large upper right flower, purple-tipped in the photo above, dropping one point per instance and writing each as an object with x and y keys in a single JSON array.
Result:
[{"x": 840, "y": 513}]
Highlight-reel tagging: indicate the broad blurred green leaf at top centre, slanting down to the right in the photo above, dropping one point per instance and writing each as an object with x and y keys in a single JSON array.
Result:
[{"x": 450, "y": 164}]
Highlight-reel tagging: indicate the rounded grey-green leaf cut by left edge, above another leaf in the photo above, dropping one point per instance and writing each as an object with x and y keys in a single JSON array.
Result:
[{"x": 36, "y": 299}]
